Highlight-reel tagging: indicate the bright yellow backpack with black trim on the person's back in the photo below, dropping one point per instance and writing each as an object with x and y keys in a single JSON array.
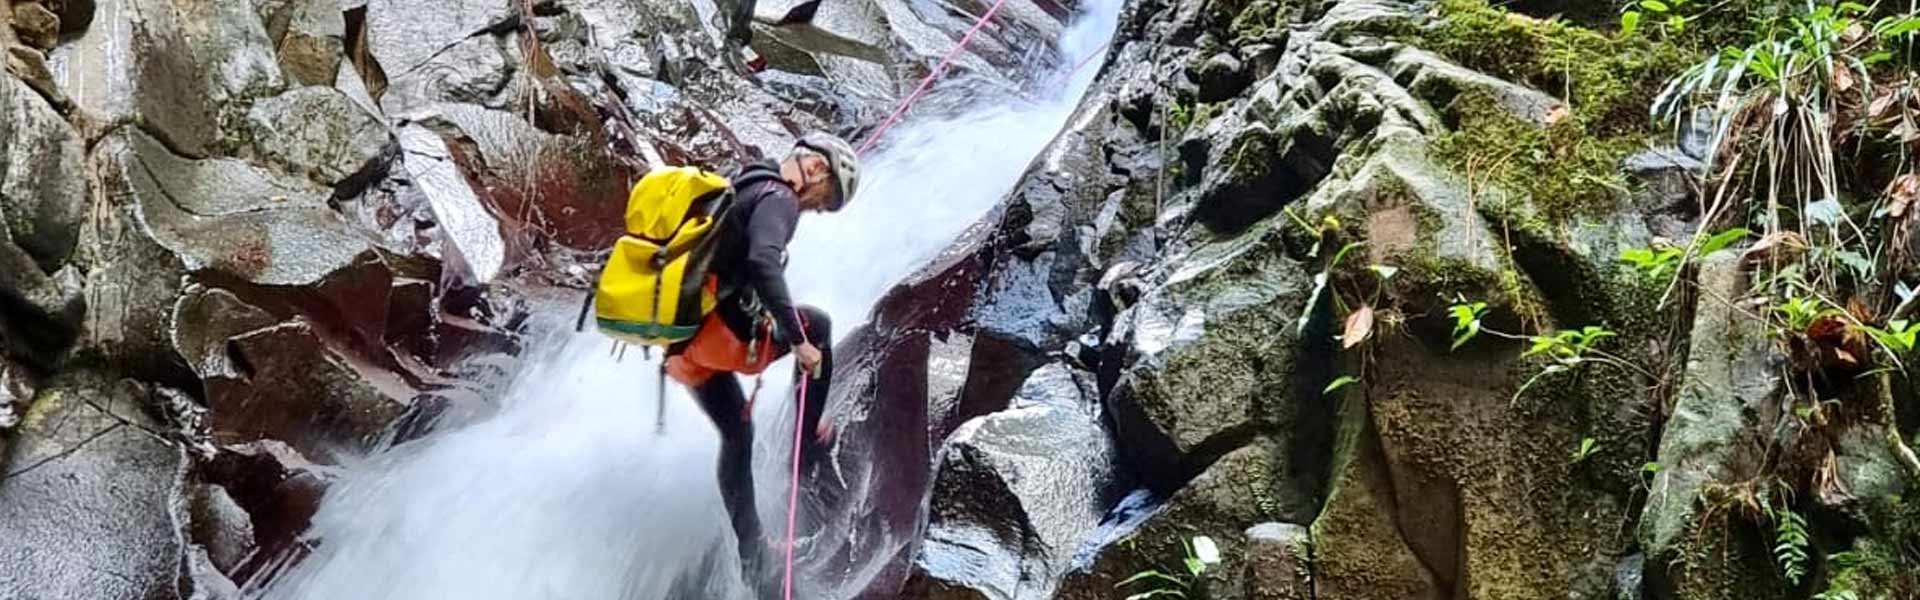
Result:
[{"x": 656, "y": 287}]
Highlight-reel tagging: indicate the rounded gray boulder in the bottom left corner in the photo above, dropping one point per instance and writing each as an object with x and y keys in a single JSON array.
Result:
[{"x": 91, "y": 505}]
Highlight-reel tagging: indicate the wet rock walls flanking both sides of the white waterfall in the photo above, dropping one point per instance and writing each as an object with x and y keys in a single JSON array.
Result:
[{"x": 249, "y": 241}]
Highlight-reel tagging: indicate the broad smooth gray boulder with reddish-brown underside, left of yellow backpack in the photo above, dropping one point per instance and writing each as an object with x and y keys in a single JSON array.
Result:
[{"x": 235, "y": 226}]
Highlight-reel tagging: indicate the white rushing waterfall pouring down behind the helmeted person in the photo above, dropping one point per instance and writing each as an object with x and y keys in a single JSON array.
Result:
[{"x": 567, "y": 491}]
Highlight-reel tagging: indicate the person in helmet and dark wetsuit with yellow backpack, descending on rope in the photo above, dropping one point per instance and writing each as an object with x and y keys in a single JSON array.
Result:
[{"x": 702, "y": 272}]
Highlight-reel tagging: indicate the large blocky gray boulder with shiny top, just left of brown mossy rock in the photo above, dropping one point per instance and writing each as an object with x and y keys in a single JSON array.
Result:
[{"x": 1212, "y": 357}]
